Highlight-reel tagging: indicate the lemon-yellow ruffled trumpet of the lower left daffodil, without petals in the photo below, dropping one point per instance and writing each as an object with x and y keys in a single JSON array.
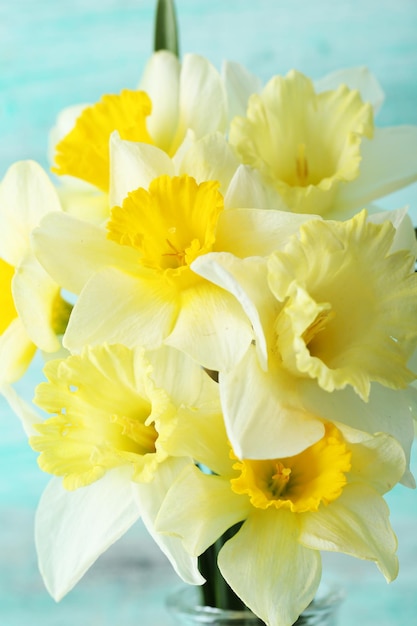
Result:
[{"x": 102, "y": 416}]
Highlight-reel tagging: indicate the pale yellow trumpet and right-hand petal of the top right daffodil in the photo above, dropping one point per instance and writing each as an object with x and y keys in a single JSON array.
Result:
[{"x": 319, "y": 151}]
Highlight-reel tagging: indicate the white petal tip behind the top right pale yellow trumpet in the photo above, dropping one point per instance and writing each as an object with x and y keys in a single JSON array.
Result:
[{"x": 355, "y": 78}]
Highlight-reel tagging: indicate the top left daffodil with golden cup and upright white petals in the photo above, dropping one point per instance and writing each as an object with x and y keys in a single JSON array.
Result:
[{"x": 167, "y": 105}]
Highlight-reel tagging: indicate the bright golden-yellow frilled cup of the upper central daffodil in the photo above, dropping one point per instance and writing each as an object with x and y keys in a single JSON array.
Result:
[{"x": 171, "y": 224}]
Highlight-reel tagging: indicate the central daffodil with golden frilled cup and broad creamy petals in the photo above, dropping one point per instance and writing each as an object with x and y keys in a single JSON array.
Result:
[{"x": 139, "y": 276}]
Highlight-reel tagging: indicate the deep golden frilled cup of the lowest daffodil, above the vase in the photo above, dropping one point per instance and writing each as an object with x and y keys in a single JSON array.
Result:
[{"x": 299, "y": 483}]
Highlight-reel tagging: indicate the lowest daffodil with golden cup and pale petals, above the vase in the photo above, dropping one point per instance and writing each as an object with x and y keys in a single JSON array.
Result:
[{"x": 328, "y": 497}]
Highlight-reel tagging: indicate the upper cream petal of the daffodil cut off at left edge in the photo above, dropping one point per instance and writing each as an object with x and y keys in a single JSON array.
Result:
[{"x": 26, "y": 195}]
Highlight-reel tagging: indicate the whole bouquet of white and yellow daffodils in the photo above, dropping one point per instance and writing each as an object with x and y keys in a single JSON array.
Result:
[{"x": 230, "y": 325}]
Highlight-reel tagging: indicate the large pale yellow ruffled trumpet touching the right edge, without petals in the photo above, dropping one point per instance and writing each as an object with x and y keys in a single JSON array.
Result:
[{"x": 331, "y": 281}]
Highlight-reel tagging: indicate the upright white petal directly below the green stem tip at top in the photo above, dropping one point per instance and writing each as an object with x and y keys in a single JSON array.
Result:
[{"x": 161, "y": 82}]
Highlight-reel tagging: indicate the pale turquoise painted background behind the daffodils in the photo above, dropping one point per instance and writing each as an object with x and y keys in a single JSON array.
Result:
[{"x": 53, "y": 54}]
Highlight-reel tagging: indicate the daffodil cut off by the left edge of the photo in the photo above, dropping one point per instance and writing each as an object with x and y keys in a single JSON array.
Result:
[{"x": 32, "y": 311}]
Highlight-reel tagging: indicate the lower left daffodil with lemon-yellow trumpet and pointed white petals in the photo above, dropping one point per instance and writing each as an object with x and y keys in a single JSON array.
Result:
[{"x": 111, "y": 441}]
